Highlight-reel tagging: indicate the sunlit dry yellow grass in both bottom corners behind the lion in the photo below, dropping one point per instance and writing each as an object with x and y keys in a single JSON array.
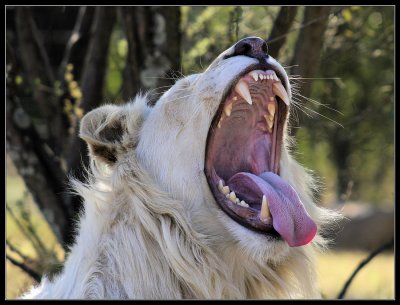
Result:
[{"x": 374, "y": 281}]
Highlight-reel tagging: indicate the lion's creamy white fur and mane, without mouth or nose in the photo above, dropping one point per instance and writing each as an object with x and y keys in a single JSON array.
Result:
[{"x": 151, "y": 228}]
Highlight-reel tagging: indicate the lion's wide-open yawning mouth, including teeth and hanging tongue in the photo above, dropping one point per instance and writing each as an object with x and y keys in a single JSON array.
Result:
[{"x": 243, "y": 158}]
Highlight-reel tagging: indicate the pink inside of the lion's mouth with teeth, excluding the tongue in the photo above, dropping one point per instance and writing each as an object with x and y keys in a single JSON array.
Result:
[{"x": 272, "y": 112}]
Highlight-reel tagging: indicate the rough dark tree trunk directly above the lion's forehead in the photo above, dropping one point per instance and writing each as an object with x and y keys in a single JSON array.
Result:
[{"x": 154, "y": 41}]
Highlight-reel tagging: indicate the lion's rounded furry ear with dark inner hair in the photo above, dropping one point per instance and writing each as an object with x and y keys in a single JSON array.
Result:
[{"x": 103, "y": 129}]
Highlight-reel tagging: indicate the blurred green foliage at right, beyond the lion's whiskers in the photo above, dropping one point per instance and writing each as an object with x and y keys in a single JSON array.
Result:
[{"x": 359, "y": 50}]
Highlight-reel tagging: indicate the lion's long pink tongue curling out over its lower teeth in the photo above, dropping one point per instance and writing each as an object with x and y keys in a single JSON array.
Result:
[{"x": 289, "y": 217}]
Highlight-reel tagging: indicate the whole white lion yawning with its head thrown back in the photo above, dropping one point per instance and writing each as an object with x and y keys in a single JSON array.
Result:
[{"x": 197, "y": 196}]
